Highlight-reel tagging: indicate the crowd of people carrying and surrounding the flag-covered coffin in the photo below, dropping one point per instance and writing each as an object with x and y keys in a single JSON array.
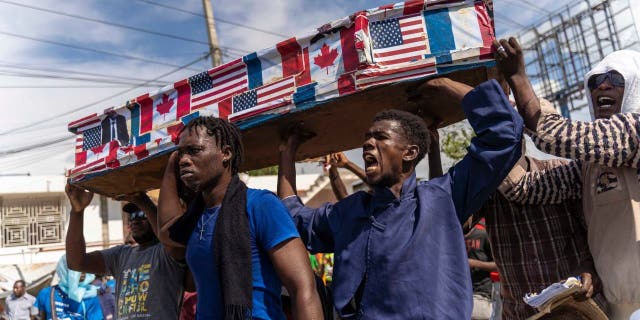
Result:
[{"x": 406, "y": 249}]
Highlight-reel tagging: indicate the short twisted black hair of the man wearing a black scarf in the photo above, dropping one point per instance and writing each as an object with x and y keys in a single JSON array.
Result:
[{"x": 225, "y": 133}]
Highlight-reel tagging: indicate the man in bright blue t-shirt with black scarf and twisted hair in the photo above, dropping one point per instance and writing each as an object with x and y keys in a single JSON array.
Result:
[{"x": 240, "y": 243}]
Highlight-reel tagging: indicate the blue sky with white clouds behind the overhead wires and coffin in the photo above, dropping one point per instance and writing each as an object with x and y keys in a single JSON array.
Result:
[{"x": 30, "y": 95}]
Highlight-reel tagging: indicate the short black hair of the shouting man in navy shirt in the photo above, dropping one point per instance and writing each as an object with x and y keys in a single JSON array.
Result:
[{"x": 413, "y": 127}]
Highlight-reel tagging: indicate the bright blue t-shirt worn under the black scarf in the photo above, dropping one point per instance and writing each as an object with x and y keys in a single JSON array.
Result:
[{"x": 270, "y": 224}]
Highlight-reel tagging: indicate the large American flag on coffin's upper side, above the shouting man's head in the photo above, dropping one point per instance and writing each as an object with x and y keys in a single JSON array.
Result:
[{"x": 398, "y": 40}]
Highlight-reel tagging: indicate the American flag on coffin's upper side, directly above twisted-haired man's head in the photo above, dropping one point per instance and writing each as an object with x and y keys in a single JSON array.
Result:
[{"x": 210, "y": 87}]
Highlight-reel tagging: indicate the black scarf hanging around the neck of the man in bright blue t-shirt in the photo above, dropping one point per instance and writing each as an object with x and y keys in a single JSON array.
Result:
[{"x": 232, "y": 247}]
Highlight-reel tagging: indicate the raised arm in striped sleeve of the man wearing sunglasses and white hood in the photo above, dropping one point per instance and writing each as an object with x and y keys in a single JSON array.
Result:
[{"x": 612, "y": 142}]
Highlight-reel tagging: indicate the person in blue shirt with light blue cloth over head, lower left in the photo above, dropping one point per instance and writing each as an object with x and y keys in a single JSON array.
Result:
[{"x": 73, "y": 298}]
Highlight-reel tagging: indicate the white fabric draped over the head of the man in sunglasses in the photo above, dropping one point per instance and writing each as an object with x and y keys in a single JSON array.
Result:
[{"x": 627, "y": 63}]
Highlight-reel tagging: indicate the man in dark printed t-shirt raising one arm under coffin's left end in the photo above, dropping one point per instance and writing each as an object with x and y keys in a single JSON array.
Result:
[{"x": 149, "y": 280}]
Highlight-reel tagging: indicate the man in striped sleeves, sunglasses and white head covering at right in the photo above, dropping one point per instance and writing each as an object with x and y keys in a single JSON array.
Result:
[{"x": 605, "y": 174}]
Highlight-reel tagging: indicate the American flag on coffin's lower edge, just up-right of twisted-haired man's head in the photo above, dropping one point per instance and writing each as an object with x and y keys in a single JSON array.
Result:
[{"x": 262, "y": 99}]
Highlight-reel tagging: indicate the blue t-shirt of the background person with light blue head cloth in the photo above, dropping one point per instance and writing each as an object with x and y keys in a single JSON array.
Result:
[{"x": 67, "y": 309}]
